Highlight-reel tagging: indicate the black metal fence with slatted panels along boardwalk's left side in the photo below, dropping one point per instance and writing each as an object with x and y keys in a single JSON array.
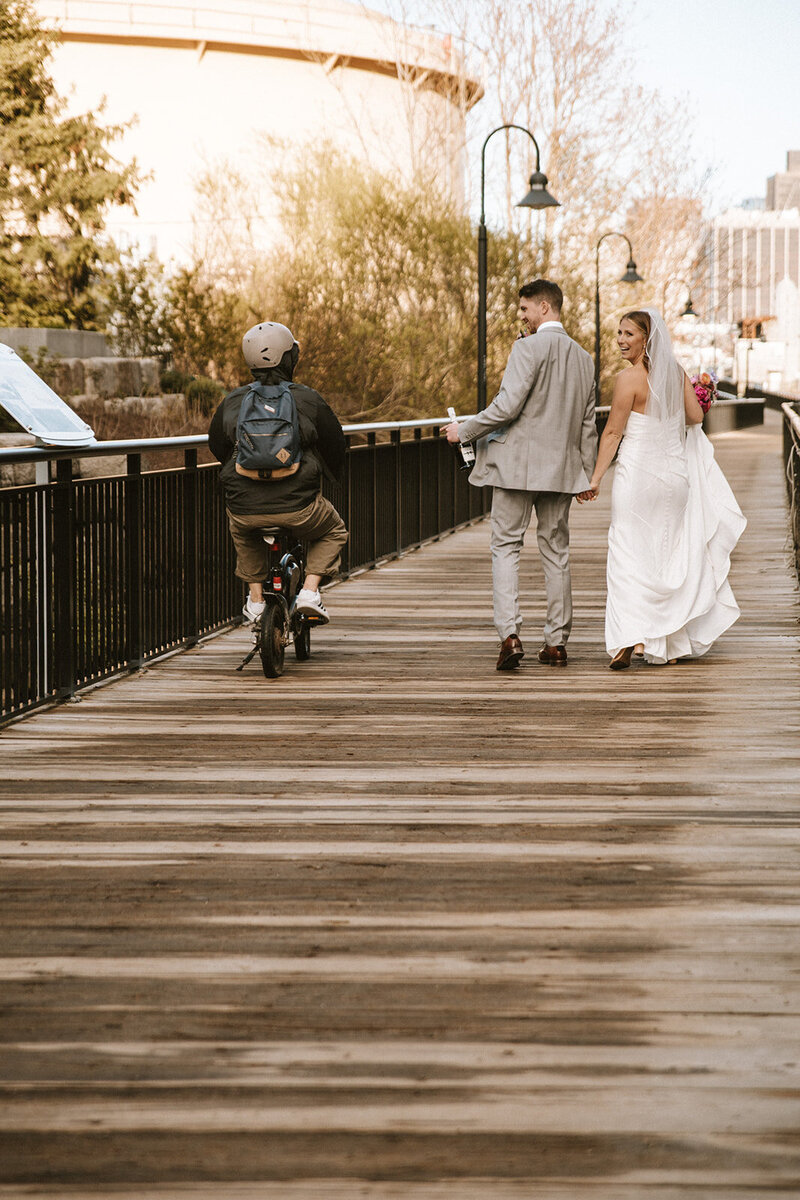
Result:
[{"x": 101, "y": 575}]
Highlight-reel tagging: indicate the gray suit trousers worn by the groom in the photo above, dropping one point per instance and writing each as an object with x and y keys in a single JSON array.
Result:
[{"x": 512, "y": 512}]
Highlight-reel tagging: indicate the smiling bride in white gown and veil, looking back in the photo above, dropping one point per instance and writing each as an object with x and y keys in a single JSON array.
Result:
[{"x": 675, "y": 519}]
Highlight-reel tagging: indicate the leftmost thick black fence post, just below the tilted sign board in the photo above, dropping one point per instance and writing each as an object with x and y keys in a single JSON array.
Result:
[{"x": 64, "y": 583}]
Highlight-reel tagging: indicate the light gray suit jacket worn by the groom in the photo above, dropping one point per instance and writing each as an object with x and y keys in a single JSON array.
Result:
[{"x": 539, "y": 434}]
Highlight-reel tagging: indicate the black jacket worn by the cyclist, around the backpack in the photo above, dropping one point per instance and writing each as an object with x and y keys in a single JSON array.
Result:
[{"x": 323, "y": 453}]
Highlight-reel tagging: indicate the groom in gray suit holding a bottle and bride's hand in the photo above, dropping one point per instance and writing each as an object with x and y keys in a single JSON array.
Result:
[{"x": 537, "y": 448}]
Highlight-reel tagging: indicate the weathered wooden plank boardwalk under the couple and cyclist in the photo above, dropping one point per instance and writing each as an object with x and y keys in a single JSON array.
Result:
[{"x": 401, "y": 927}]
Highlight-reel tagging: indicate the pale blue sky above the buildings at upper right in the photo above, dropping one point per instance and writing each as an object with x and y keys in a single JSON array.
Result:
[{"x": 736, "y": 67}]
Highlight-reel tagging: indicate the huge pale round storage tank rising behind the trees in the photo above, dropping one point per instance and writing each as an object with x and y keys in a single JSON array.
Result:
[{"x": 202, "y": 81}]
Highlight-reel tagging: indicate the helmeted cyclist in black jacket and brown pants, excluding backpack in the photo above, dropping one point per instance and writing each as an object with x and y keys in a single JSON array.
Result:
[{"x": 293, "y": 500}]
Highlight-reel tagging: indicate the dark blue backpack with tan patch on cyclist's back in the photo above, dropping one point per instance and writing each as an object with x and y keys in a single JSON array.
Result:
[{"x": 268, "y": 431}]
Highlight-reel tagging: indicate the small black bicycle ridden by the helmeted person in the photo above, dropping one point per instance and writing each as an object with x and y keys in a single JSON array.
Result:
[{"x": 280, "y": 623}]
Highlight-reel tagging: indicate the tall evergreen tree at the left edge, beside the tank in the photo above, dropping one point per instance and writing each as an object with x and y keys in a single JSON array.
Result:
[{"x": 58, "y": 185}]
